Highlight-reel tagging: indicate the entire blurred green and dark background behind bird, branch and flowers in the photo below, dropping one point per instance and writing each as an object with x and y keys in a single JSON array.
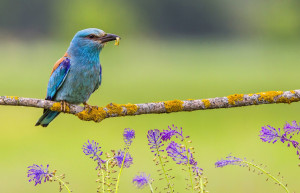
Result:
[{"x": 169, "y": 50}]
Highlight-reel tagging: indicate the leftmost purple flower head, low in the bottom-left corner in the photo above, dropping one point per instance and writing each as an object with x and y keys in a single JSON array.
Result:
[{"x": 36, "y": 173}]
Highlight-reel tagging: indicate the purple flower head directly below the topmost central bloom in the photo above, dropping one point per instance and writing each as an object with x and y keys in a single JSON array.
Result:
[{"x": 177, "y": 153}]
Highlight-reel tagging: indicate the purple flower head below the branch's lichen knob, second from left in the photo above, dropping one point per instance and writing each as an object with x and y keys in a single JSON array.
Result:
[{"x": 93, "y": 149}]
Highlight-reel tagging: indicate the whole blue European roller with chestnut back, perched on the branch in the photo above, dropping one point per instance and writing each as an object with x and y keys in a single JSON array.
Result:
[{"x": 78, "y": 73}]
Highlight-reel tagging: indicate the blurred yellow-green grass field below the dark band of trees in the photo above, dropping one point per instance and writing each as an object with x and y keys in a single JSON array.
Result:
[{"x": 141, "y": 71}]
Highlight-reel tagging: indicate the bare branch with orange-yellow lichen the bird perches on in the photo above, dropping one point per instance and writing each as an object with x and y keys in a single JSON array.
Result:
[{"x": 98, "y": 114}]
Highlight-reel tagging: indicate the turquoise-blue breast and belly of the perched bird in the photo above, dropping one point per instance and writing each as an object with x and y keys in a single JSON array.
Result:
[{"x": 82, "y": 80}]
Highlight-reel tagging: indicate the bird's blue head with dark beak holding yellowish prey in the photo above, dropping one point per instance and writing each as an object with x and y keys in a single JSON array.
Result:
[{"x": 91, "y": 39}]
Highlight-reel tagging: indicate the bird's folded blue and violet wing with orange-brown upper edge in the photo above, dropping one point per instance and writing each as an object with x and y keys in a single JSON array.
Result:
[{"x": 58, "y": 75}]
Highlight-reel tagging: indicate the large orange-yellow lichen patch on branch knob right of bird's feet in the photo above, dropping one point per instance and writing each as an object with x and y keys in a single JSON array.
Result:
[{"x": 96, "y": 114}]
